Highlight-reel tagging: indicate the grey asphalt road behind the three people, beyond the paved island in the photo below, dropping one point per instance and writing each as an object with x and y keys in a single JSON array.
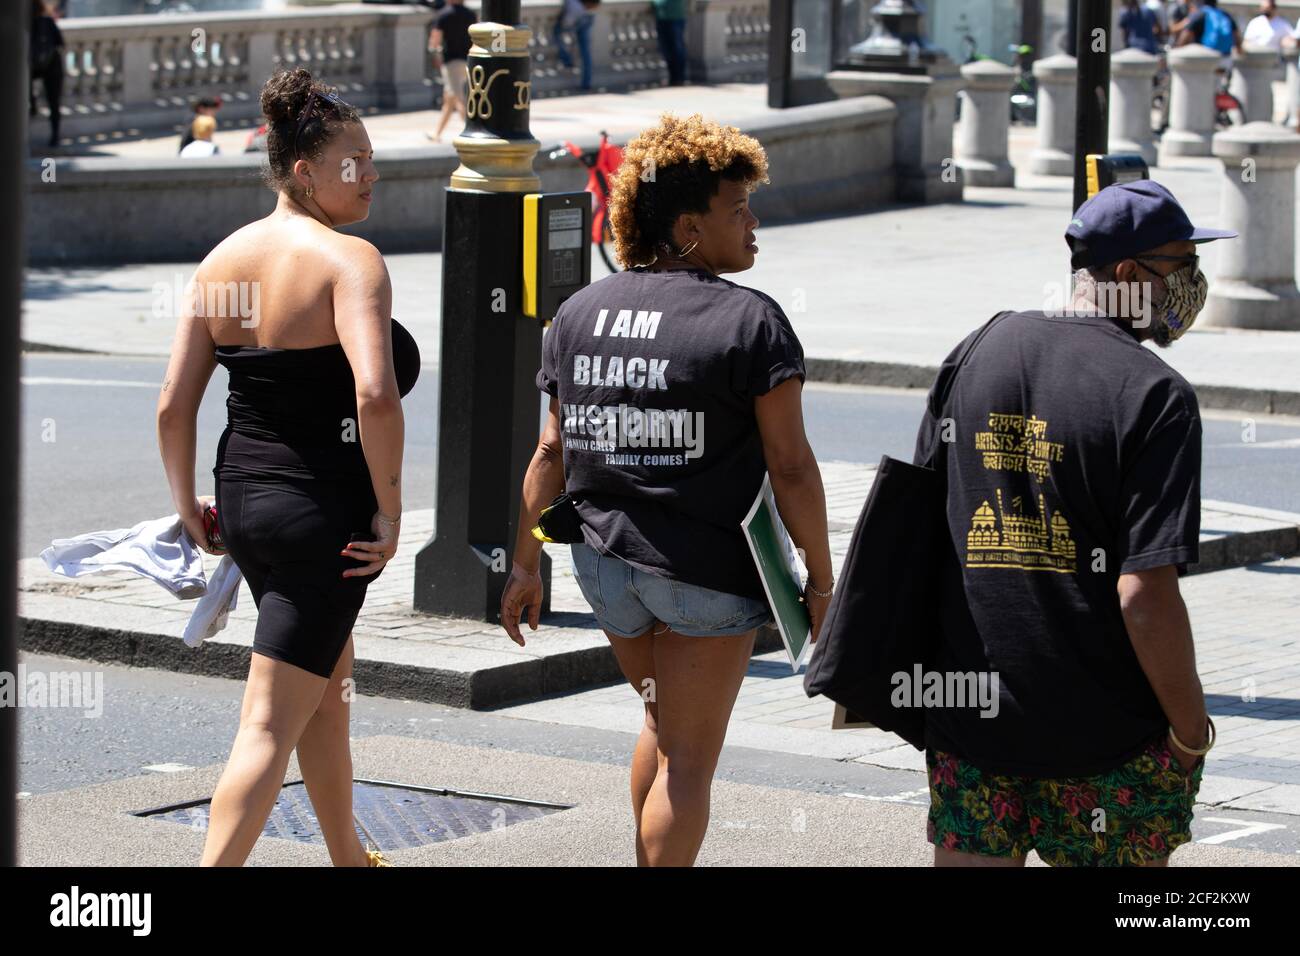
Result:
[{"x": 90, "y": 455}]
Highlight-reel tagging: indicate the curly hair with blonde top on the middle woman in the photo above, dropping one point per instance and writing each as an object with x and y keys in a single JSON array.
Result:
[{"x": 674, "y": 168}]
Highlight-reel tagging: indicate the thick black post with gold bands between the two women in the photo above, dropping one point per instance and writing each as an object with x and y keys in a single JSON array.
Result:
[{"x": 488, "y": 413}]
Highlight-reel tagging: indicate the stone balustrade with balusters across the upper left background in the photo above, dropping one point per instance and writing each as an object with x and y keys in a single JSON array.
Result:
[{"x": 142, "y": 73}]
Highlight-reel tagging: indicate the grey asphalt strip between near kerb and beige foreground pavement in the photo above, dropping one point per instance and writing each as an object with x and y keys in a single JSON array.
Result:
[{"x": 155, "y": 721}]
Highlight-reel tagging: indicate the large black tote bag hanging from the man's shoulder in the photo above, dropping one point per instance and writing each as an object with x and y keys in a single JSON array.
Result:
[{"x": 886, "y": 612}]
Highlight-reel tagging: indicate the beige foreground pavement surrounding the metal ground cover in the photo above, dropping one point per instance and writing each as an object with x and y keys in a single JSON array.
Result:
[{"x": 749, "y": 825}]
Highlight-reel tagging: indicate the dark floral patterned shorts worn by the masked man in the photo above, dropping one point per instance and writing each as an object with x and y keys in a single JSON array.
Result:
[{"x": 1133, "y": 815}]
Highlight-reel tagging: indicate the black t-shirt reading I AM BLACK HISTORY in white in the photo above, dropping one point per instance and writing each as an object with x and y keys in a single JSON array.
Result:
[{"x": 656, "y": 374}]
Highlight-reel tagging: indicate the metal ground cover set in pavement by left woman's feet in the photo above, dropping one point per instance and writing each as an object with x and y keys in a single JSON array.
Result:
[{"x": 395, "y": 816}]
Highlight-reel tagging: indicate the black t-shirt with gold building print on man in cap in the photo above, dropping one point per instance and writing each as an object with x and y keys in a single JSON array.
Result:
[{"x": 1073, "y": 455}]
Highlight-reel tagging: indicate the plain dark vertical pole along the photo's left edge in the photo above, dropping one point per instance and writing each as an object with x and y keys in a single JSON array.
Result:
[{"x": 14, "y": 116}]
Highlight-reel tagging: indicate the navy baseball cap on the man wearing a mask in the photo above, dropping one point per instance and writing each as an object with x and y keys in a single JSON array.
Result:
[{"x": 1128, "y": 219}]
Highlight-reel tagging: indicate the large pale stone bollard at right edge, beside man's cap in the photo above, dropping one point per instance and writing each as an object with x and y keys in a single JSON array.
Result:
[{"x": 1255, "y": 285}]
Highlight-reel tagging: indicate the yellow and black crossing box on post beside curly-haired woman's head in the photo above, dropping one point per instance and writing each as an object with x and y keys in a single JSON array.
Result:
[{"x": 557, "y": 250}]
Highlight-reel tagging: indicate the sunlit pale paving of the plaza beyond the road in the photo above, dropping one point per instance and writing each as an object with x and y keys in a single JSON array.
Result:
[{"x": 889, "y": 292}]
